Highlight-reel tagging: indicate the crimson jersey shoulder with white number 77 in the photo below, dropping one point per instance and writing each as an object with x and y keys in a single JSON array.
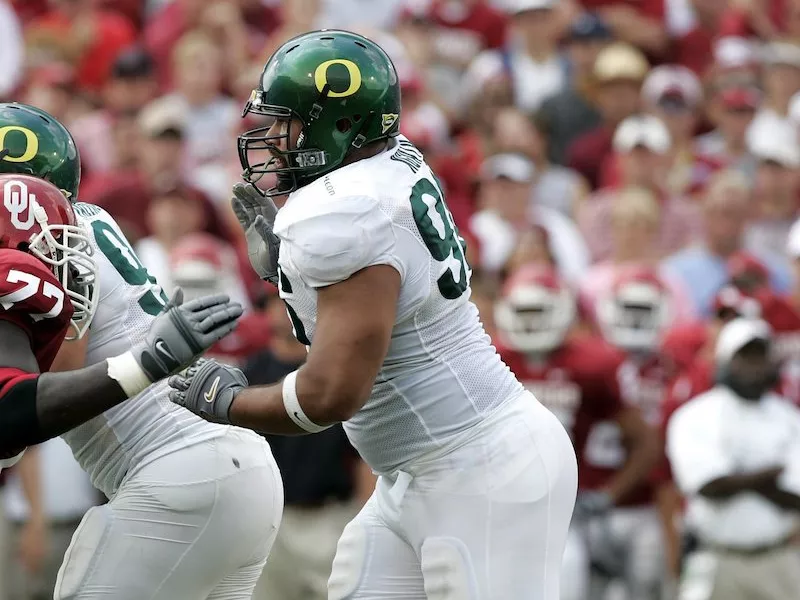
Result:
[{"x": 33, "y": 299}]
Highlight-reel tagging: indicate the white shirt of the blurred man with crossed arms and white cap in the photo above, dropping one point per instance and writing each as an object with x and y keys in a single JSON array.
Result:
[{"x": 719, "y": 434}]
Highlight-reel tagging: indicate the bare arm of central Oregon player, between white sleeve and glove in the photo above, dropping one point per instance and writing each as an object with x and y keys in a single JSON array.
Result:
[{"x": 354, "y": 325}]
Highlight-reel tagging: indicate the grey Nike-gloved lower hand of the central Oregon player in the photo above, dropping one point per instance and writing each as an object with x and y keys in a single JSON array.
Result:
[{"x": 207, "y": 388}]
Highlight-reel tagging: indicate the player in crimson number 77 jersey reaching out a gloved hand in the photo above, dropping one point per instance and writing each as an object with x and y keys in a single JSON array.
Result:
[{"x": 48, "y": 289}]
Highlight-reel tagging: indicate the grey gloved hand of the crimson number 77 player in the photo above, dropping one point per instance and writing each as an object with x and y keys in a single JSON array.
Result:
[{"x": 182, "y": 332}]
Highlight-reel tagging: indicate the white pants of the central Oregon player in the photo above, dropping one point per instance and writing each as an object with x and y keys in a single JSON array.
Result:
[{"x": 485, "y": 520}]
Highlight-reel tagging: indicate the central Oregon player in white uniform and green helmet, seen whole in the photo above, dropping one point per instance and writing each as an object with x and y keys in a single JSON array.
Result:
[{"x": 477, "y": 480}]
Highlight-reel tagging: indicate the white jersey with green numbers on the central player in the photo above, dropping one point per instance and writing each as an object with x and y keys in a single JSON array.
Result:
[{"x": 441, "y": 375}]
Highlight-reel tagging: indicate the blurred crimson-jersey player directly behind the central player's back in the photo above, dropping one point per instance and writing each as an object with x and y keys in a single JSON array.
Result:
[{"x": 583, "y": 380}]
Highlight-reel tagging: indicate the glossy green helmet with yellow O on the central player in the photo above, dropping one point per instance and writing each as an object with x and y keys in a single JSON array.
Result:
[{"x": 344, "y": 90}]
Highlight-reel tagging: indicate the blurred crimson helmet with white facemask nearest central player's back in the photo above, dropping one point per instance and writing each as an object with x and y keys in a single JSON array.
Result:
[{"x": 536, "y": 310}]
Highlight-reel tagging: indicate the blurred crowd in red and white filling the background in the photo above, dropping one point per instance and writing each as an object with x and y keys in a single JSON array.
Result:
[{"x": 586, "y": 147}]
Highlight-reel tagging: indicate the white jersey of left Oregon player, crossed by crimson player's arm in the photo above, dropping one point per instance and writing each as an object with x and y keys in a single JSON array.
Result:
[{"x": 148, "y": 426}]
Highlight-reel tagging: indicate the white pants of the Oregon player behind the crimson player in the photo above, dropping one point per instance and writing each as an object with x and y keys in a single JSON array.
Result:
[{"x": 195, "y": 524}]
